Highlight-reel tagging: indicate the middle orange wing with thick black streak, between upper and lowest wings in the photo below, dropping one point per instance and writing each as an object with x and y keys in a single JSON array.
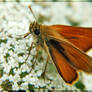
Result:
[{"x": 73, "y": 56}]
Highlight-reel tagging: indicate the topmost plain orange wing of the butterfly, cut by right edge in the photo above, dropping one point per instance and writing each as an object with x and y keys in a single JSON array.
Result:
[{"x": 79, "y": 36}]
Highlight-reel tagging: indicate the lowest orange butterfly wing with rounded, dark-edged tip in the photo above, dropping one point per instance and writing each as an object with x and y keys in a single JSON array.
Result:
[{"x": 67, "y": 72}]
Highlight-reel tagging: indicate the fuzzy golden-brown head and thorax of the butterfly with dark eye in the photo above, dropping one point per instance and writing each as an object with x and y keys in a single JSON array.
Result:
[{"x": 40, "y": 32}]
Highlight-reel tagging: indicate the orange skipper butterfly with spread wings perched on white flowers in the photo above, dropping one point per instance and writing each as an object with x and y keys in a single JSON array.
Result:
[{"x": 66, "y": 45}]
